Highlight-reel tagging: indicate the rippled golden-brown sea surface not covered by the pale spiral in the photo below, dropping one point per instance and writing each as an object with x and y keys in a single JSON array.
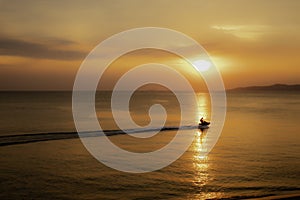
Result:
[{"x": 256, "y": 156}]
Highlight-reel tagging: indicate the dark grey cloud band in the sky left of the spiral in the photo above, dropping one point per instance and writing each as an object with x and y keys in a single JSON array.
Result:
[{"x": 45, "y": 50}]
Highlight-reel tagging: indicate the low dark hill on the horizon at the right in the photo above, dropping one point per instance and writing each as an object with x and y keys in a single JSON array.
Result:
[{"x": 275, "y": 87}]
